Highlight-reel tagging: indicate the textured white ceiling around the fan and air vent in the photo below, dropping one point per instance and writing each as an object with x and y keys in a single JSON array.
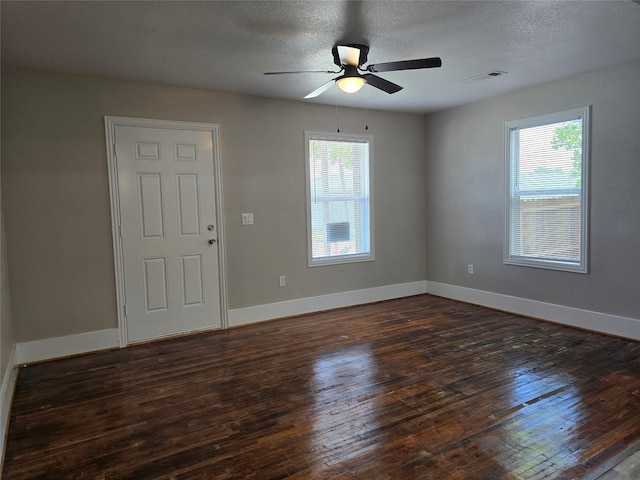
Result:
[{"x": 226, "y": 46}]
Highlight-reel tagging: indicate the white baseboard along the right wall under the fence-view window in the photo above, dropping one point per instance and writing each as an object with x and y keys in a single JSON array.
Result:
[{"x": 574, "y": 317}]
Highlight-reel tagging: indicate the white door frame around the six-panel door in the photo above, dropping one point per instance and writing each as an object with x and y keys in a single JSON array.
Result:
[{"x": 110, "y": 125}]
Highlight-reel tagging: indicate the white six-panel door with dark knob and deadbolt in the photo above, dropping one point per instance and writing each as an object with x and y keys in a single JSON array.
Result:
[{"x": 168, "y": 228}]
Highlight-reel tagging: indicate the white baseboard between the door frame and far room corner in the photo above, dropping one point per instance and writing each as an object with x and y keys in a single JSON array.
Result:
[{"x": 300, "y": 306}]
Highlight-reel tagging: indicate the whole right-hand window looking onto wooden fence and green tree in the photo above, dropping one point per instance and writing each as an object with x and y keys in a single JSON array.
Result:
[{"x": 547, "y": 183}]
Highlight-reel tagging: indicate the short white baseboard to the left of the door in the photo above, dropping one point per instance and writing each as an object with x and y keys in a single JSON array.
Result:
[{"x": 49, "y": 348}]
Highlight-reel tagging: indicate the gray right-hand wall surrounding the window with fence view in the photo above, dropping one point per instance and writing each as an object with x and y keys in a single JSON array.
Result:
[{"x": 465, "y": 194}]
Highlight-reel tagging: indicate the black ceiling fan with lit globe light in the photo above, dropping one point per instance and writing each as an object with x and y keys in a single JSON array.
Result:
[{"x": 351, "y": 58}]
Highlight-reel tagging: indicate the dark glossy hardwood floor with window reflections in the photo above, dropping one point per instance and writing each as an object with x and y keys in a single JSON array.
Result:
[{"x": 415, "y": 388}]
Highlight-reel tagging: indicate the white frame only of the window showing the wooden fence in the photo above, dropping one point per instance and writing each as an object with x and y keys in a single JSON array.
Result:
[{"x": 511, "y": 191}]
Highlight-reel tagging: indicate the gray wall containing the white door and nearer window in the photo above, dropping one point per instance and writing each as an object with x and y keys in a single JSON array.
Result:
[{"x": 57, "y": 215}]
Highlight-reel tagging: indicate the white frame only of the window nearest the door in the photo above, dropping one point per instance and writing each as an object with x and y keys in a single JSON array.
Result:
[{"x": 339, "y": 137}]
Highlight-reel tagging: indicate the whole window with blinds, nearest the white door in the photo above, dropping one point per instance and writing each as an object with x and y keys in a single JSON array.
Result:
[{"x": 339, "y": 209}]
